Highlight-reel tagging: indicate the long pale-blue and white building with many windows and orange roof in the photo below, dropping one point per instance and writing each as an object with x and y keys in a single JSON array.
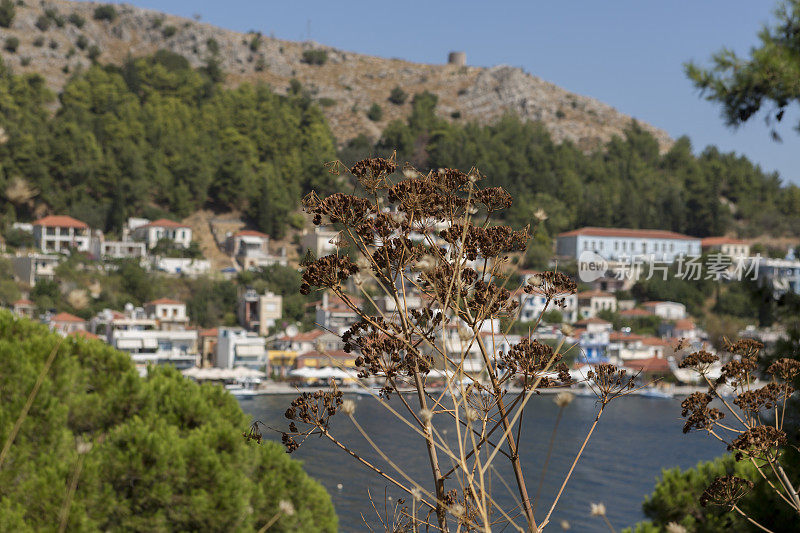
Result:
[{"x": 622, "y": 244}]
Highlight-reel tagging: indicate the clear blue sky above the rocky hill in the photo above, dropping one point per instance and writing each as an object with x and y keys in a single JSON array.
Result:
[{"x": 626, "y": 53}]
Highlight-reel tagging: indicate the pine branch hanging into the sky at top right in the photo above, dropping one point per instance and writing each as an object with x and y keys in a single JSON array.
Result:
[{"x": 767, "y": 78}]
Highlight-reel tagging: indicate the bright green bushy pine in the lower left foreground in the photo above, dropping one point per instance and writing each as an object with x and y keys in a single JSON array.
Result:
[{"x": 166, "y": 453}]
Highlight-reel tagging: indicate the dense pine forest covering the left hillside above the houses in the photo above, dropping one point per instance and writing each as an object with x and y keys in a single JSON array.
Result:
[{"x": 157, "y": 132}]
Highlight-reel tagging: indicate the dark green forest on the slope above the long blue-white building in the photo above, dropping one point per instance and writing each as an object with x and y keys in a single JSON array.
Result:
[{"x": 626, "y": 183}]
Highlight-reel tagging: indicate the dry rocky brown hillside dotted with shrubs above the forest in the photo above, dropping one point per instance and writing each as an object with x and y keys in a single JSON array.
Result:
[{"x": 57, "y": 37}]
